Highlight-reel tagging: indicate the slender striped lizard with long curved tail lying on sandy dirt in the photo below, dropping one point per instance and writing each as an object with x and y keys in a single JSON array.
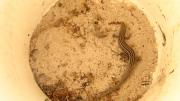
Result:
[{"x": 131, "y": 62}]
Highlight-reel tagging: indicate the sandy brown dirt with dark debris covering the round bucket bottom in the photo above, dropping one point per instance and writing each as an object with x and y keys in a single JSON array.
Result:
[{"x": 75, "y": 55}]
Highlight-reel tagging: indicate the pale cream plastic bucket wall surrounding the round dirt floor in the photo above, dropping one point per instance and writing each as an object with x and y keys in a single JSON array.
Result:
[{"x": 18, "y": 18}]
